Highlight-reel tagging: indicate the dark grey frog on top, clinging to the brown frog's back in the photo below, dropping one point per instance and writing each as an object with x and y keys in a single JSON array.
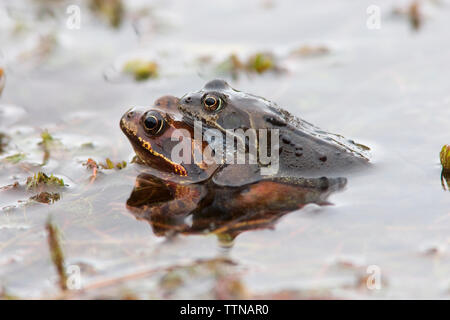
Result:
[{"x": 303, "y": 148}]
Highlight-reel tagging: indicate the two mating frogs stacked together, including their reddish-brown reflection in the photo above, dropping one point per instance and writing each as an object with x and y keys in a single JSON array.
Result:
[{"x": 232, "y": 153}]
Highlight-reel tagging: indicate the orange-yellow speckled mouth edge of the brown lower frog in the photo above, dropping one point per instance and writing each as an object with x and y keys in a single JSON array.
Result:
[{"x": 130, "y": 130}]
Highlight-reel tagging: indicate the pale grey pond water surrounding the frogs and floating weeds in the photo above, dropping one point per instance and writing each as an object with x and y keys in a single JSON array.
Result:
[{"x": 386, "y": 88}]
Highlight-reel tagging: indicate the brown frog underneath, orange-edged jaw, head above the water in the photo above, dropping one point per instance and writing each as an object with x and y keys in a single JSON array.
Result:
[{"x": 151, "y": 134}]
